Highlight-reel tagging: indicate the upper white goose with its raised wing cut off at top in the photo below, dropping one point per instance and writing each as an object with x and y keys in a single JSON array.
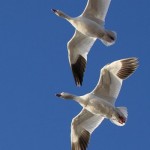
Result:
[{"x": 89, "y": 26}]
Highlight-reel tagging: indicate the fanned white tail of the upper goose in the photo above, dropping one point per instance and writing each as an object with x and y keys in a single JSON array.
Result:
[{"x": 109, "y": 38}]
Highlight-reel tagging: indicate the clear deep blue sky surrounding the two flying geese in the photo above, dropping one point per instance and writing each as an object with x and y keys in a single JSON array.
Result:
[{"x": 34, "y": 66}]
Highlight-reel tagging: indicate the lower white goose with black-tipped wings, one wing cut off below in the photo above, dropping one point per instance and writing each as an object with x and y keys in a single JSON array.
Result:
[{"x": 100, "y": 103}]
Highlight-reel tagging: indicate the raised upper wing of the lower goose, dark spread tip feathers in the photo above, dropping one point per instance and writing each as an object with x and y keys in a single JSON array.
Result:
[{"x": 111, "y": 78}]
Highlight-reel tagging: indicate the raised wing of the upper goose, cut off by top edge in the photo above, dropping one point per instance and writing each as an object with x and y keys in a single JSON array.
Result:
[{"x": 96, "y": 9}]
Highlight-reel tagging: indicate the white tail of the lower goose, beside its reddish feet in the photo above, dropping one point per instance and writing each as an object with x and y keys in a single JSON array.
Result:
[{"x": 121, "y": 121}]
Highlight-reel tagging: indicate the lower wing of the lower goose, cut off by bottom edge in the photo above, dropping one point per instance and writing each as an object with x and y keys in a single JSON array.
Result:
[{"x": 82, "y": 127}]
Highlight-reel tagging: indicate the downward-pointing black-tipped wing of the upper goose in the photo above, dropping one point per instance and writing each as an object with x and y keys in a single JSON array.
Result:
[{"x": 78, "y": 49}]
